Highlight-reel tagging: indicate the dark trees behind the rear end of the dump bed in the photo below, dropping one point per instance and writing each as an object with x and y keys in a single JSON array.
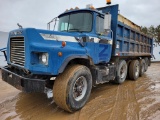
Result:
[{"x": 152, "y": 31}]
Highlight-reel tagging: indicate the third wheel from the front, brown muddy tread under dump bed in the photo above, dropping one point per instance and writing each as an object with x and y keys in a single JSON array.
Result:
[{"x": 134, "y": 70}]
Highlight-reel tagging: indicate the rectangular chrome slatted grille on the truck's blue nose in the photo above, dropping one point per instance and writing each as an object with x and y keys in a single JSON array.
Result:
[{"x": 17, "y": 51}]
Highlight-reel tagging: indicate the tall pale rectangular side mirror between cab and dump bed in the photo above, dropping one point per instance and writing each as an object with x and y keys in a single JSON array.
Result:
[{"x": 107, "y": 22}]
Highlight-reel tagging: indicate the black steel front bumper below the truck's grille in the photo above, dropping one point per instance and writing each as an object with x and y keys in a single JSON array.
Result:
[{"x": 22, "y": 83}]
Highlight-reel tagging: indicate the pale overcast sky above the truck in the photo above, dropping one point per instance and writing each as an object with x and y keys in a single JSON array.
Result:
[{"x": 37, "y": 13}]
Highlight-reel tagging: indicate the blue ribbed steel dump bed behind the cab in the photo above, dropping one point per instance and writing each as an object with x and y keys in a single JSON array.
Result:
[{"x": 128, "y": 40}]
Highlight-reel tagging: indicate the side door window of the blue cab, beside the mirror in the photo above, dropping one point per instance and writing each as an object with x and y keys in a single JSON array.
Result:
[{"x": 99, "y": 24}]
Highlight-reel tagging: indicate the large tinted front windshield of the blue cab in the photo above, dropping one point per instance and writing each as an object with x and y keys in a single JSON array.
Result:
[{"x": 79, "y": 22}]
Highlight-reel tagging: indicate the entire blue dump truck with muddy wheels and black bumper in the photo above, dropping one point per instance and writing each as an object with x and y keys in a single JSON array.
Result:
[{"x": 90, "y": 47}]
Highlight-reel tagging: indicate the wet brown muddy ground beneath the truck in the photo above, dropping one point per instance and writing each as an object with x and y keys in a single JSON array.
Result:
[{"x": 133, "y": 100}]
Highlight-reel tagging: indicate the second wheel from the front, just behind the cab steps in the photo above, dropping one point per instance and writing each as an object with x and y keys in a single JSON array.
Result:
[{"x": 121, "y": 72}]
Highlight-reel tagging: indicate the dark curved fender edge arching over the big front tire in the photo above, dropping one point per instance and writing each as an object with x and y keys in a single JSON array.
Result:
[{"x": 66, "y": 61}]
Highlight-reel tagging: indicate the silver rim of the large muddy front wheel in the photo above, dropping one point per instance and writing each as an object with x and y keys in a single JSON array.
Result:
[{"x": 79, "y": 88}]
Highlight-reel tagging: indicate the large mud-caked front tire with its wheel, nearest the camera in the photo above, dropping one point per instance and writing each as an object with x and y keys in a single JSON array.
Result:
[{"x": 72, "y": 88}]
